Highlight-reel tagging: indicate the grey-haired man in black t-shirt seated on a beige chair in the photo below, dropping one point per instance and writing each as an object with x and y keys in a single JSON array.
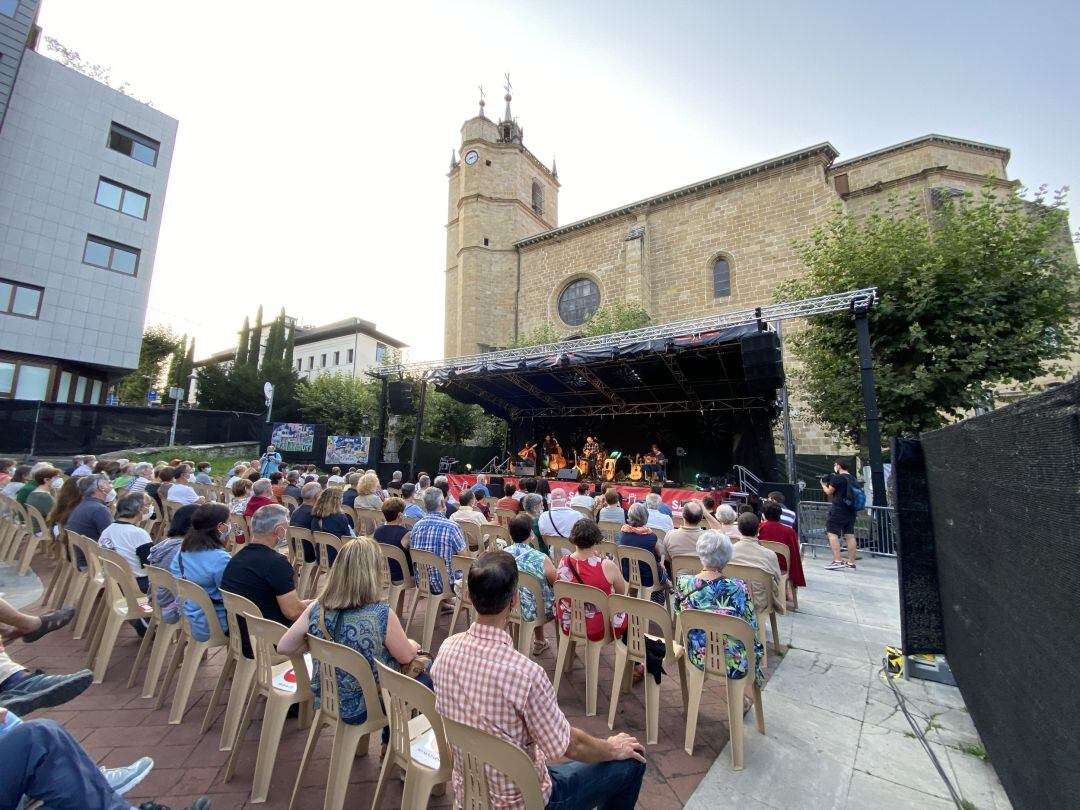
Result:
[{"x": 262, "y": 575}]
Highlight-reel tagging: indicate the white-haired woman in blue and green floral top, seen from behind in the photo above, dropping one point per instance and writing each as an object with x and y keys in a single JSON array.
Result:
[{"x": 711, "y": 590}]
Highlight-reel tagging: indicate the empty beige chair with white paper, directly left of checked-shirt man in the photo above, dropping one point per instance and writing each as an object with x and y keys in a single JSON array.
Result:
[{"x": 403, "y": 696}]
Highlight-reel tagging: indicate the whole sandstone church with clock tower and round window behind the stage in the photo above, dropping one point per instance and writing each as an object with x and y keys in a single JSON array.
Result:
[{"x": 719, "y": 246}]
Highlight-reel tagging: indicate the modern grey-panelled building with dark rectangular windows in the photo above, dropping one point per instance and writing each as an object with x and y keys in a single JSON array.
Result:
[{"x": 84, "y": 171}]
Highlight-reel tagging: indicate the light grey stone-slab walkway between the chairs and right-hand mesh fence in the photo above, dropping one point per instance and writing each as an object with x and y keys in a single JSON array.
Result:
[{"x": 834, "y": 735}]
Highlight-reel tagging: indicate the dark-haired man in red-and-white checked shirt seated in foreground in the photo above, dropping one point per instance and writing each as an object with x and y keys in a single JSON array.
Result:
[{"x": 483, "y": 682}]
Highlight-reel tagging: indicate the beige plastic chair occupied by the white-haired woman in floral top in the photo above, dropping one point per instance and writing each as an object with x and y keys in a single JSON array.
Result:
[{"x": 717, "y": 627}]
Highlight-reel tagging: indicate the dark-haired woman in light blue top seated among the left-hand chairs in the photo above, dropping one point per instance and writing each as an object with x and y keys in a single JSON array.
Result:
[{"x": 201, "y": 560}]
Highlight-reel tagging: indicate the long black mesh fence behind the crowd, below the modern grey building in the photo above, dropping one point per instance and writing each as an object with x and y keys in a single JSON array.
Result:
[{"x": 53, "y": 429}]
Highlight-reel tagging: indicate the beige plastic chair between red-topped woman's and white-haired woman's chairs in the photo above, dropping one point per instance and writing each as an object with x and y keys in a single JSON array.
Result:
[{"x": 643, "y": 616}]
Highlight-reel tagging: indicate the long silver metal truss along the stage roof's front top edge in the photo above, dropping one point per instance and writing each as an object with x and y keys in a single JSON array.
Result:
[{"x": 786, "y": 312}]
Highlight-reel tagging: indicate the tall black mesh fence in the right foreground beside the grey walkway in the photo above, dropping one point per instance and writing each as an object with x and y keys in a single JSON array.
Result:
[{"x": 1005, "y": 492}]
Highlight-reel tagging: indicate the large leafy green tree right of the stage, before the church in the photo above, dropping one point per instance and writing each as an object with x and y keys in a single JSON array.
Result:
[{"x": 978, "y": 294}]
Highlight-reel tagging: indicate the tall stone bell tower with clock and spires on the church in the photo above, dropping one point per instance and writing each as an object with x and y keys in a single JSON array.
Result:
[{"x": 499, "y": 194}]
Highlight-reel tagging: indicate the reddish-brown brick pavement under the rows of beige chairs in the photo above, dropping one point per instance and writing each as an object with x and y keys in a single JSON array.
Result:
[{"x": 117, "y": 726}]
